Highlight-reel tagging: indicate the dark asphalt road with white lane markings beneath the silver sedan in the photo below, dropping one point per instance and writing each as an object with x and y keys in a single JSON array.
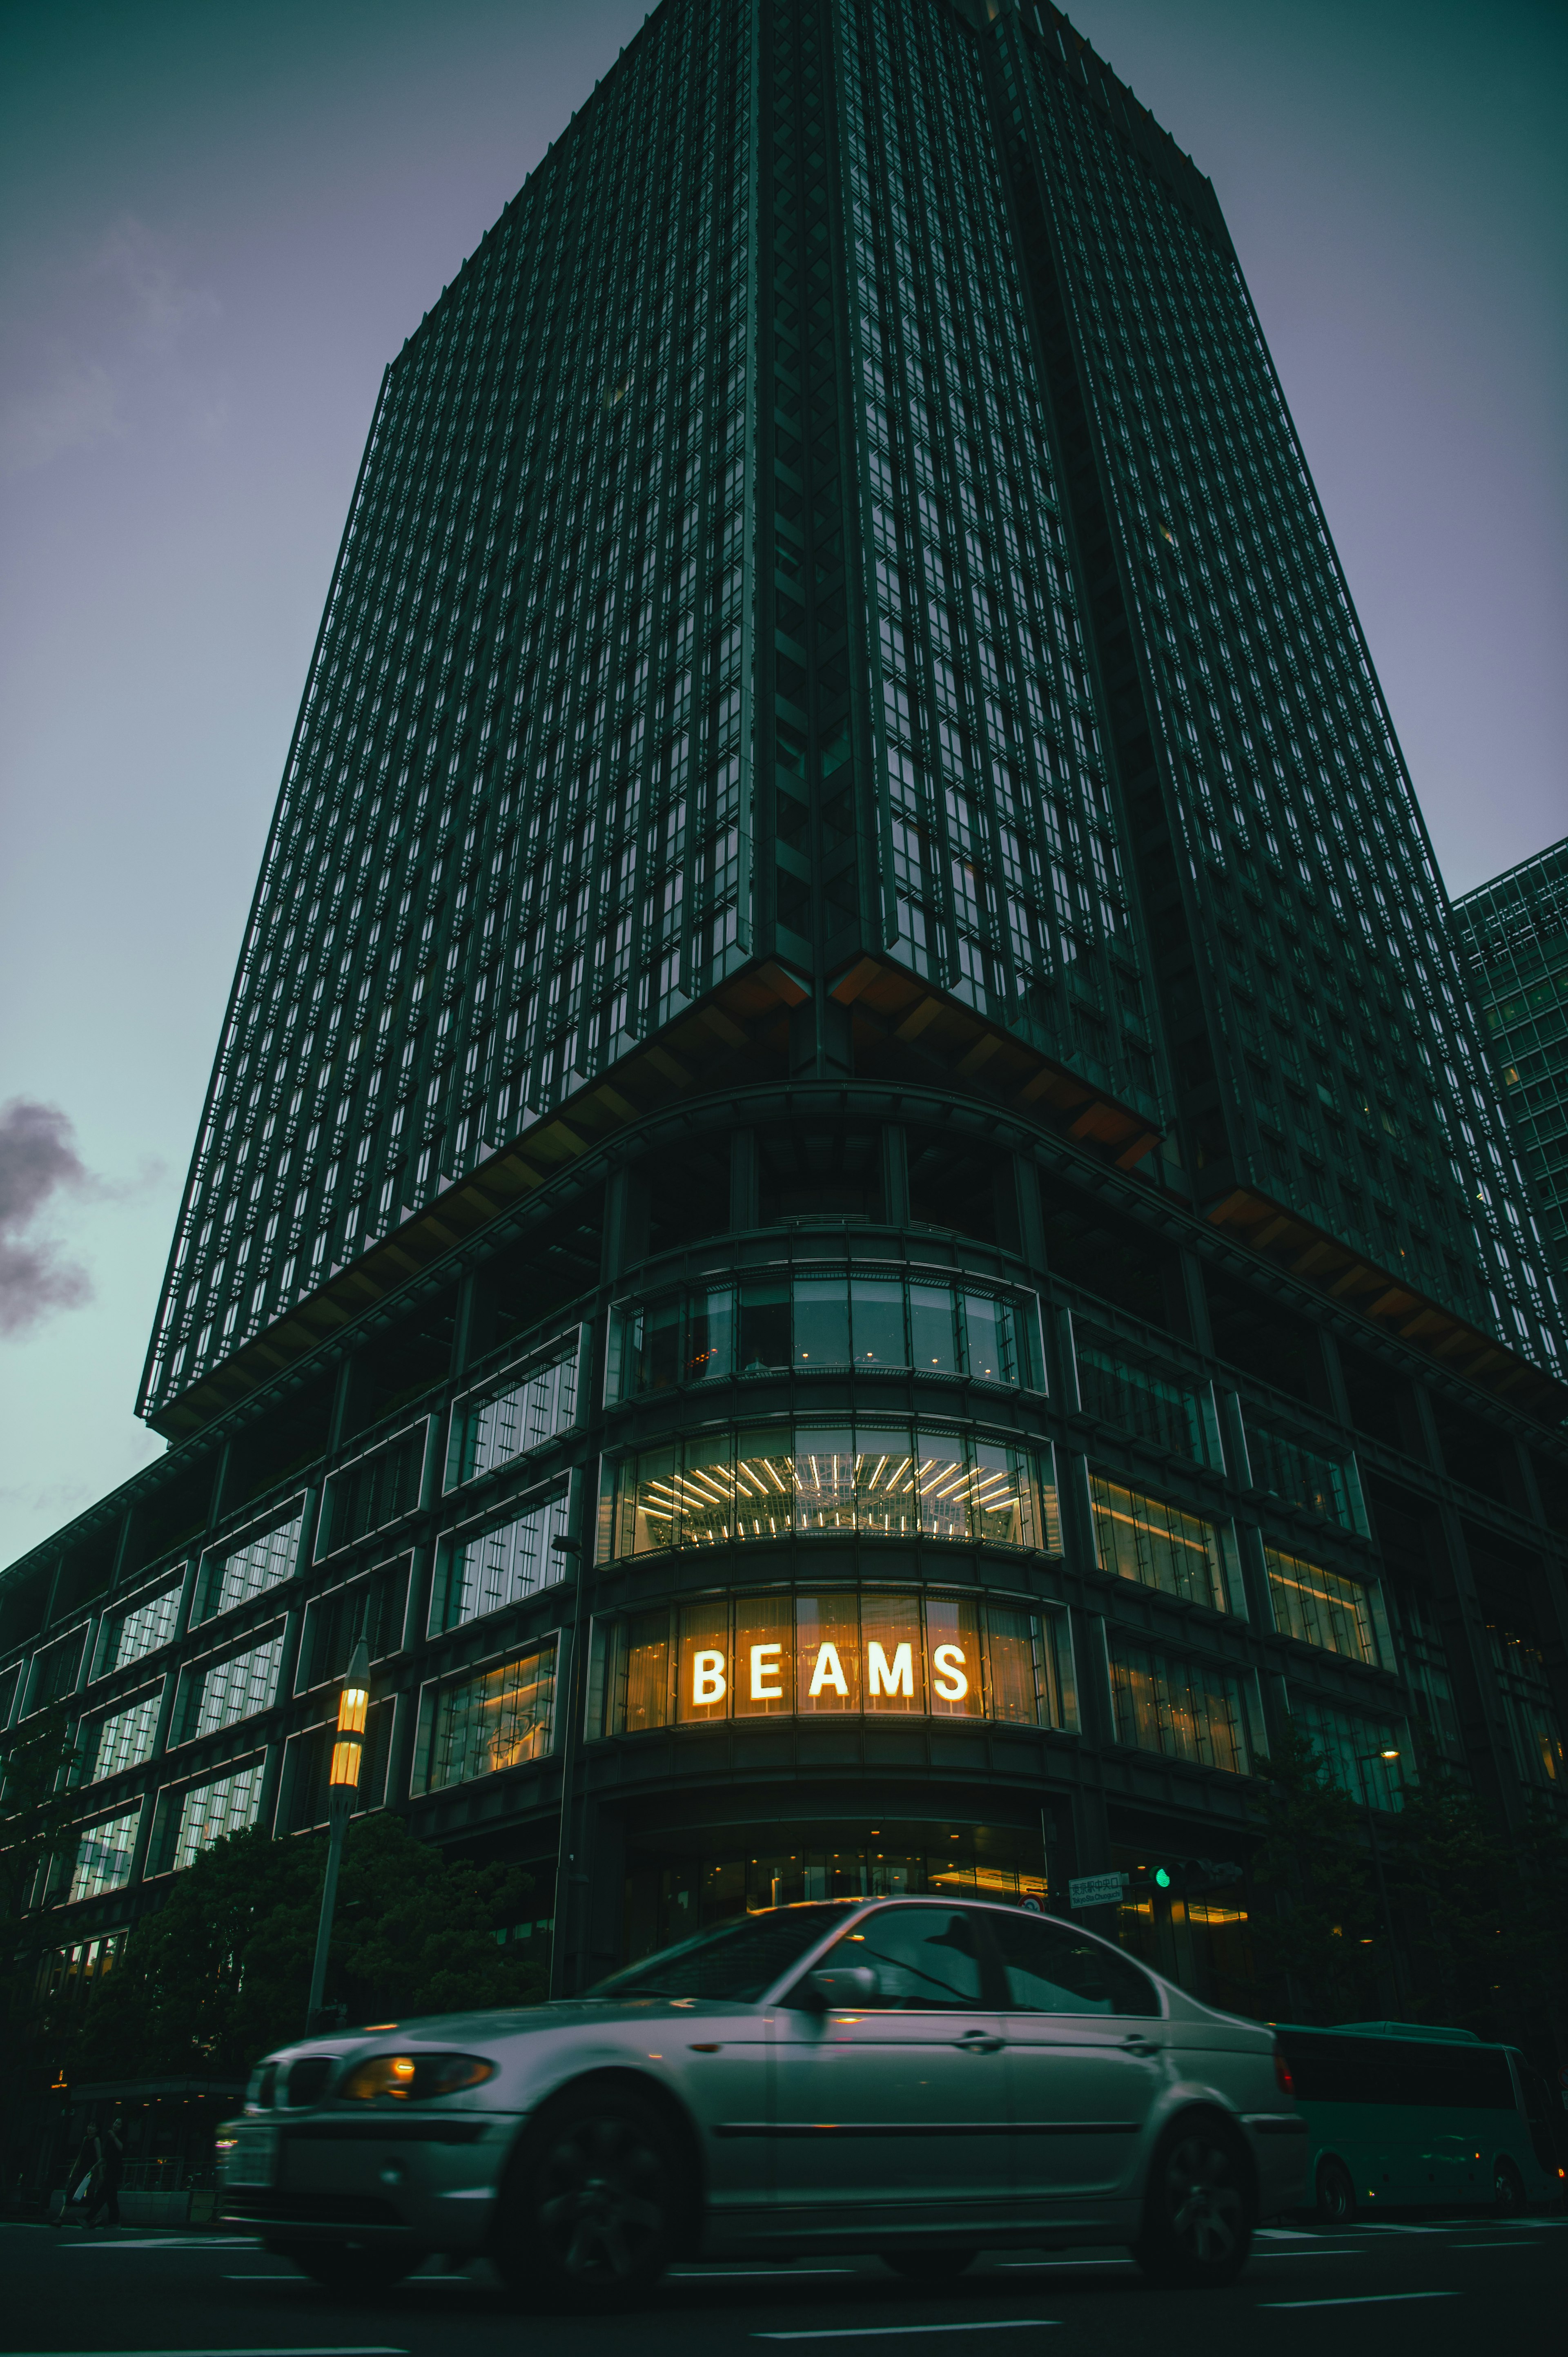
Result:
[{"x": 1444, "y": 2285}]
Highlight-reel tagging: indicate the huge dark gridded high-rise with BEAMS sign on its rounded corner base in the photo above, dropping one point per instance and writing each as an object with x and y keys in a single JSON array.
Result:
[{"x": 850, "y": 1196}]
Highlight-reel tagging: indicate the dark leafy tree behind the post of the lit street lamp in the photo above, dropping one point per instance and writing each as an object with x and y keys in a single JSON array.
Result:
[{"x": 220, "y": 1974}]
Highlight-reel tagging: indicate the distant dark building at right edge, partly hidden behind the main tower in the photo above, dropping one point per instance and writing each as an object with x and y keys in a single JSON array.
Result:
[{"x": 1515, "y": 939}]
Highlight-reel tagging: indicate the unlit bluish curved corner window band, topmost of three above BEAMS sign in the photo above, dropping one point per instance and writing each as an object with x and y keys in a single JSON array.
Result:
[{"x": 815, "y": 1321}]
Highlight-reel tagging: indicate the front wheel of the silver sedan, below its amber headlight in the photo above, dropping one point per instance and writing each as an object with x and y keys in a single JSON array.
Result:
[{"x": 595, "y": 2203}]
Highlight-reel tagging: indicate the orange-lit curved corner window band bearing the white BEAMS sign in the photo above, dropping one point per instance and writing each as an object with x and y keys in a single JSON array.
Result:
[{"x": 793, "y": 1656}]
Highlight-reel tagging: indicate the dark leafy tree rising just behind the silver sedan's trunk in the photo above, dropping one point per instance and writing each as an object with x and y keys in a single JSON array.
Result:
[{"x": 1317, "y": 1939}]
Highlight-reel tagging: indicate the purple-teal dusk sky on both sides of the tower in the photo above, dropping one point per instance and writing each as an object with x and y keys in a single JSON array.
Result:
[{"x": 220, "y": 223}]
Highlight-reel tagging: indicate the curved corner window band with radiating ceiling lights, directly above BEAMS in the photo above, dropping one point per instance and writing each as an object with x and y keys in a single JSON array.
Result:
[{"x": 881, "y": 1479}]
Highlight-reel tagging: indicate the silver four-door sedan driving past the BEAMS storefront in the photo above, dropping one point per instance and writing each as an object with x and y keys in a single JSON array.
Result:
[{"x": 909, "y": 2078}]
